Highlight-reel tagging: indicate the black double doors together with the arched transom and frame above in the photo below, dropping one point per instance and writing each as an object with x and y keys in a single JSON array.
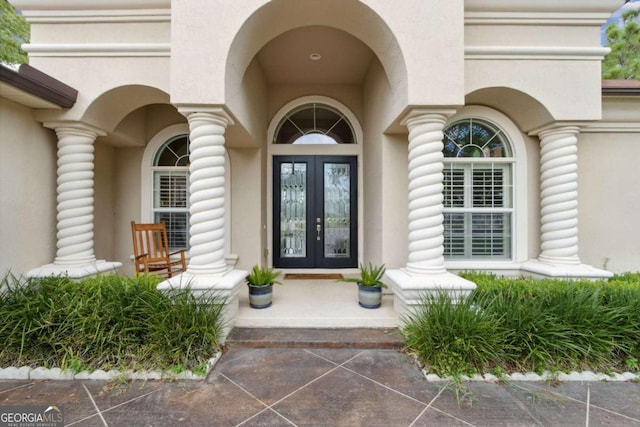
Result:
[{"x": 314, "y": 148}]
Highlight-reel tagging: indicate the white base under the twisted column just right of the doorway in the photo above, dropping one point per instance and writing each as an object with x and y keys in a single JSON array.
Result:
[{"x": 409, "y": 290}]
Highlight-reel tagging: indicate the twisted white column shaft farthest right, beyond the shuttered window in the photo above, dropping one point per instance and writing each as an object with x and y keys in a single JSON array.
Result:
[{"x": 559, "y": 195}]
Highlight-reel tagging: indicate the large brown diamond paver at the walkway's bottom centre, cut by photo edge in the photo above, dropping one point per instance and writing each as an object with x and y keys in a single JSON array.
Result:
[{"x": 343, "y": 398}]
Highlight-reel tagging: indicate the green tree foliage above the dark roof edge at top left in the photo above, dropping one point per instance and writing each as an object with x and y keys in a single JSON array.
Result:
[{"x": 14, "y": 31}]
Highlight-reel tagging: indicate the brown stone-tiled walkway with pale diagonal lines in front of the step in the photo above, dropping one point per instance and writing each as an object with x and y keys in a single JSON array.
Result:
[{"x": 319, "y": 386}]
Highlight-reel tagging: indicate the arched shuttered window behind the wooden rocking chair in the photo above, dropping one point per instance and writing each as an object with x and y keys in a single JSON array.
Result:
[{"x": 171, "y": 190}]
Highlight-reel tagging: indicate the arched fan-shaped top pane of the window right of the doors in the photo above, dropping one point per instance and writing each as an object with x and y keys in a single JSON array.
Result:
[{"x": 475, "y": 138}]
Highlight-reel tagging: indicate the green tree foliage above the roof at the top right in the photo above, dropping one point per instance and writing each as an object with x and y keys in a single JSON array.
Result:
[{"x": 623, "y": 62}]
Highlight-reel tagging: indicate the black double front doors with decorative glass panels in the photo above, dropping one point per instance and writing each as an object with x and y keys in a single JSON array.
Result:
[{"x": 315, "y": 212}]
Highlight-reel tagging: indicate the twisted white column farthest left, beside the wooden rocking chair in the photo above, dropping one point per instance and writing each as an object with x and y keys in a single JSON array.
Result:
[{"x": 75, "y": 194}]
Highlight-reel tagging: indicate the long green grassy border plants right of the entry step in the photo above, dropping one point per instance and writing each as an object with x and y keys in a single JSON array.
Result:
[{"x": 540, "y": 325}]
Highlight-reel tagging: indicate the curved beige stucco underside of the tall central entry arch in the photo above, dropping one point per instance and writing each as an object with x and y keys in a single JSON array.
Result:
[{"x": 356, "y": 23}]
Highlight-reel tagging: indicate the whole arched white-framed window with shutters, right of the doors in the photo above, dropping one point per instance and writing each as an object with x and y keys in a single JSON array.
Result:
[{"x": 478, "y": 191}]
